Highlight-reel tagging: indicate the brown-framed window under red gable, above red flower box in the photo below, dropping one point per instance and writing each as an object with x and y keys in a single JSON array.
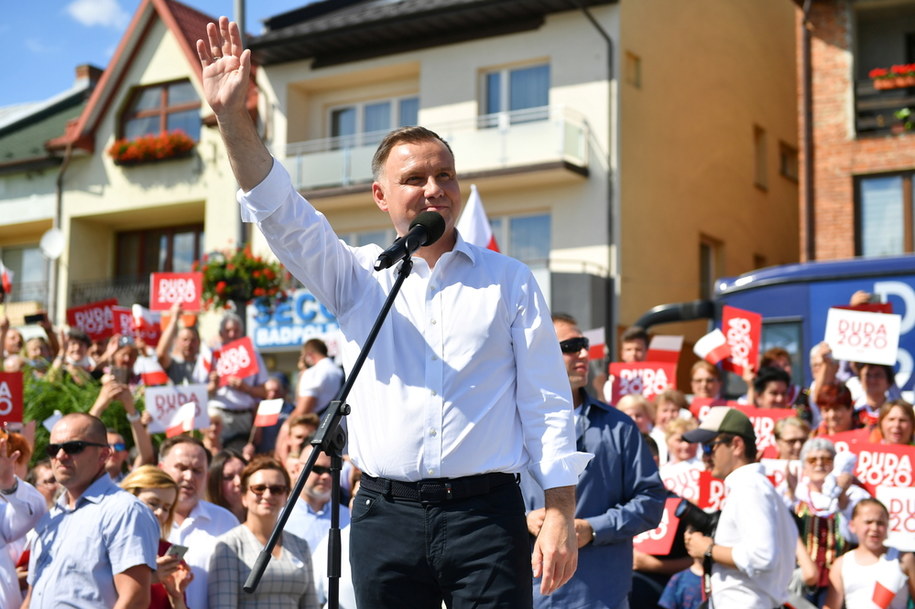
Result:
[{"x": 163, "y": 107}]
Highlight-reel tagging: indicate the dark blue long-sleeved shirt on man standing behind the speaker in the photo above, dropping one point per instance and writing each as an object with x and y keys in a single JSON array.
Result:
[{"x": 620, "y": 494}]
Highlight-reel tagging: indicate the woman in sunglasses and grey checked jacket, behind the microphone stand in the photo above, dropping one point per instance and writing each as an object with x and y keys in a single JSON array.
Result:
[{"x": 288, "y": 580}]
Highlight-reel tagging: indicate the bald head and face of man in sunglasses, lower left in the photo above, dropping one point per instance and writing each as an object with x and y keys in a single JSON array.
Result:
[{"x": 77, "y": 471}]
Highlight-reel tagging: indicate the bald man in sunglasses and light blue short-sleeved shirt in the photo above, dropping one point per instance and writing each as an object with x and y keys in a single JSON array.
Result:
[{"x": 97, "y": 545}]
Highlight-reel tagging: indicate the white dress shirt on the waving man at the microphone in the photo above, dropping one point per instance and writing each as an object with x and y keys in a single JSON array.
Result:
[{"x": 466, "y": 376}]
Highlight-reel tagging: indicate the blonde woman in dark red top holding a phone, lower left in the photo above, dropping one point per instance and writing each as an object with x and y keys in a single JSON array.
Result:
[{"x": 159, "y": 492}]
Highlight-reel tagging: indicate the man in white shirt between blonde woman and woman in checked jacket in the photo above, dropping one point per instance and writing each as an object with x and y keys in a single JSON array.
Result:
[{"x": 197, "y": 522}]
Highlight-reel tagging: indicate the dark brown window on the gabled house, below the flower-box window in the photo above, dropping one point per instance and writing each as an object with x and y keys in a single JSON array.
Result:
[{"x": 169, "y": 249}]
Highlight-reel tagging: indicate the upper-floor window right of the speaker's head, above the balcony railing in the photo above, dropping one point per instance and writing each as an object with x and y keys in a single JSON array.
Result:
[{"x": 516, "y": 95}]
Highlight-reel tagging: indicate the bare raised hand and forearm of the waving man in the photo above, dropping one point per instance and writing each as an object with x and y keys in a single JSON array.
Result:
[{"x": 226, "y": 77}]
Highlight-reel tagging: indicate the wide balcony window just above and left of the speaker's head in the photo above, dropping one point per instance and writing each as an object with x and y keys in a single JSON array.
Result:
[{"x": 366, "y": 124}]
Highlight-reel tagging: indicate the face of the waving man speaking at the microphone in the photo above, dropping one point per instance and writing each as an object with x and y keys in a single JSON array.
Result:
[{"x": 416, "y": 178}]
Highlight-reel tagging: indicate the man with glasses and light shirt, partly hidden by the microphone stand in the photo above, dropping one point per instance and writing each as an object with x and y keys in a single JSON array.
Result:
[{"x": 310, "y": 519}]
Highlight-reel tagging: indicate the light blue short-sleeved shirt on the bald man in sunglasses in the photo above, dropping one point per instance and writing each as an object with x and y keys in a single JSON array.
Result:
[{"x": 77, "y": 552}]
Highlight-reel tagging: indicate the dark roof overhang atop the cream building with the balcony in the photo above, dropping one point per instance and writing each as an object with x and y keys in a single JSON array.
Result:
[{"x": 338, "y": 31}]
